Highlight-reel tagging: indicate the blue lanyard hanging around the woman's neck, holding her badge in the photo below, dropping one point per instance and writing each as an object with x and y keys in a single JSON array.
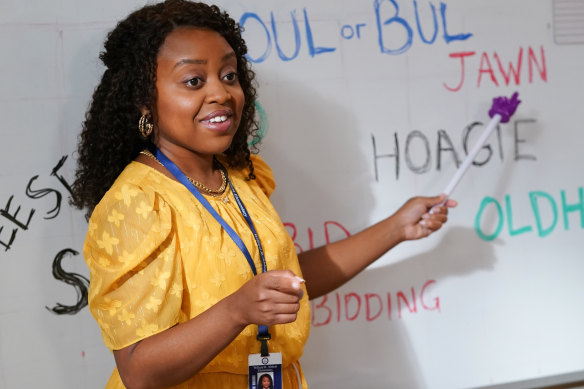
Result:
[{"x": 263, "y": 333}]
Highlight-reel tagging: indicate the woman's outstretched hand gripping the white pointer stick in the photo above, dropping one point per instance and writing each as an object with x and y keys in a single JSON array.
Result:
[{"x": 420, "y": 216}]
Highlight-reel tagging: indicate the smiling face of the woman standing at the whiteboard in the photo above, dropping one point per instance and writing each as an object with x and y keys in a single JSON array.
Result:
[{"x": 199, "y": 99}]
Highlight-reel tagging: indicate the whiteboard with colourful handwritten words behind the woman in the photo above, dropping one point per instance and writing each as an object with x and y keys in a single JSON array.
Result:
[{"x": 364, "y": 104}]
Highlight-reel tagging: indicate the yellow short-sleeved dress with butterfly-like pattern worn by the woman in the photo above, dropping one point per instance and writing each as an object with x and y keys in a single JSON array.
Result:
[{"x": 157, "y": 258}]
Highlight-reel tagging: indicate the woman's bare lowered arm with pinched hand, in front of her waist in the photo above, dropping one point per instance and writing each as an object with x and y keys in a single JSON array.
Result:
[{"x": 176, "y": 354}]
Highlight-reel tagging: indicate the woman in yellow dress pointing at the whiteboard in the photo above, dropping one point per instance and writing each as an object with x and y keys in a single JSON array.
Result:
[{"x": 175, "y": 298}]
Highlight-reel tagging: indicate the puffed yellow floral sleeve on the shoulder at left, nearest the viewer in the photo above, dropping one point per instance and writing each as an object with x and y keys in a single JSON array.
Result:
[{"x": 136, "y": 273}]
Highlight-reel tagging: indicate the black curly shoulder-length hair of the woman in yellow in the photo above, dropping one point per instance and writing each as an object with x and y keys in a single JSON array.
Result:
[{"x": 110, "y": 138}]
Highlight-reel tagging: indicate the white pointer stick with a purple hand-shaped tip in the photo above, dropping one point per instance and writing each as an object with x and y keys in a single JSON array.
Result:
[{"x": 501, "y": 111}]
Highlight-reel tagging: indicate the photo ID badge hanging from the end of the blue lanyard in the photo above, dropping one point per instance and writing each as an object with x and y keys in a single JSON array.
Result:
[{"x": 265, "y": 372}]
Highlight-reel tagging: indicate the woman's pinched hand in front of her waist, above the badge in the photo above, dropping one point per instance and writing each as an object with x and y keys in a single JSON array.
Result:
[{"x": 269, "y": 298}]
